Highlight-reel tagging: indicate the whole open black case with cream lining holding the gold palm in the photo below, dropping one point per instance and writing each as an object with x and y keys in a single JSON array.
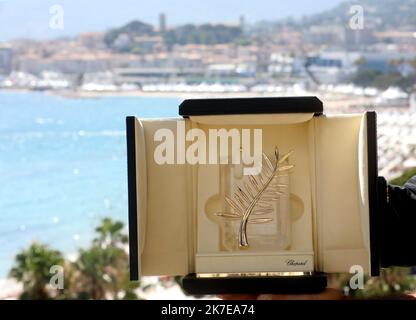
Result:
[{"x": 311, "y": 209}]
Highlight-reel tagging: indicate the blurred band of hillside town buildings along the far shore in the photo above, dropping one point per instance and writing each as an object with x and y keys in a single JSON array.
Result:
[{"x": 265, "y": 58}]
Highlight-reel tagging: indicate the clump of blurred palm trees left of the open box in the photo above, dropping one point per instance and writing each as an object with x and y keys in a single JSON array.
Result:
[{"x": 100, "y": 272}]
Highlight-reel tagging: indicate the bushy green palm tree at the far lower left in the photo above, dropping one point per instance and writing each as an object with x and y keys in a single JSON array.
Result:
[{"x": 32, "y": 268}]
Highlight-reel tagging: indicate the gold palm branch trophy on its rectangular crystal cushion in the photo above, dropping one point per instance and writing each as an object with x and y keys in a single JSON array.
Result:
[{"x": 256, "y": 202}]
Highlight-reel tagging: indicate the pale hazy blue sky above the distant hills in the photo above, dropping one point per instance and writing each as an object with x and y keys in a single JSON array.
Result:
[{"x": 31, "y": 18}]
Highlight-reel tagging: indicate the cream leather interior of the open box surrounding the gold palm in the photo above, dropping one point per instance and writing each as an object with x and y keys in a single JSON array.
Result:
[{"x": 174, "y": 229}]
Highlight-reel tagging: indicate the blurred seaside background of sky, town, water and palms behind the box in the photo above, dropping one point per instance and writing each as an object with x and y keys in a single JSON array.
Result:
[{"x": 70, "y": 71}]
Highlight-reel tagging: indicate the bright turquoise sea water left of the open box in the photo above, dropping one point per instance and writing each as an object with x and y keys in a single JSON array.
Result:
[{"x": 63, "y": 167}]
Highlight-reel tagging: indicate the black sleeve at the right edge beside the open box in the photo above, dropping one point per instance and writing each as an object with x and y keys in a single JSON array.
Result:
[{"x": 398, "y": 226}]
